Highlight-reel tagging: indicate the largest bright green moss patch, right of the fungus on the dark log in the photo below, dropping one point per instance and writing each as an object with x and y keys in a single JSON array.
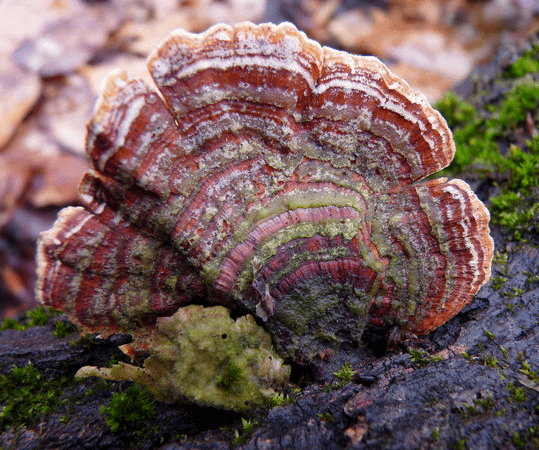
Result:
[{"x": 480, "y": 137}]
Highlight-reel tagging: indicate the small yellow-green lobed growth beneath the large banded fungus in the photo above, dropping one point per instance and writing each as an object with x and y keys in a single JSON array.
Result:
[{"x": 203, "y": 355}]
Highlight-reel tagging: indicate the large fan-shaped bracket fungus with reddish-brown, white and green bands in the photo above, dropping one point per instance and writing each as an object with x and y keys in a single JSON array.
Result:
[{"x": 272, "y": 176}]
